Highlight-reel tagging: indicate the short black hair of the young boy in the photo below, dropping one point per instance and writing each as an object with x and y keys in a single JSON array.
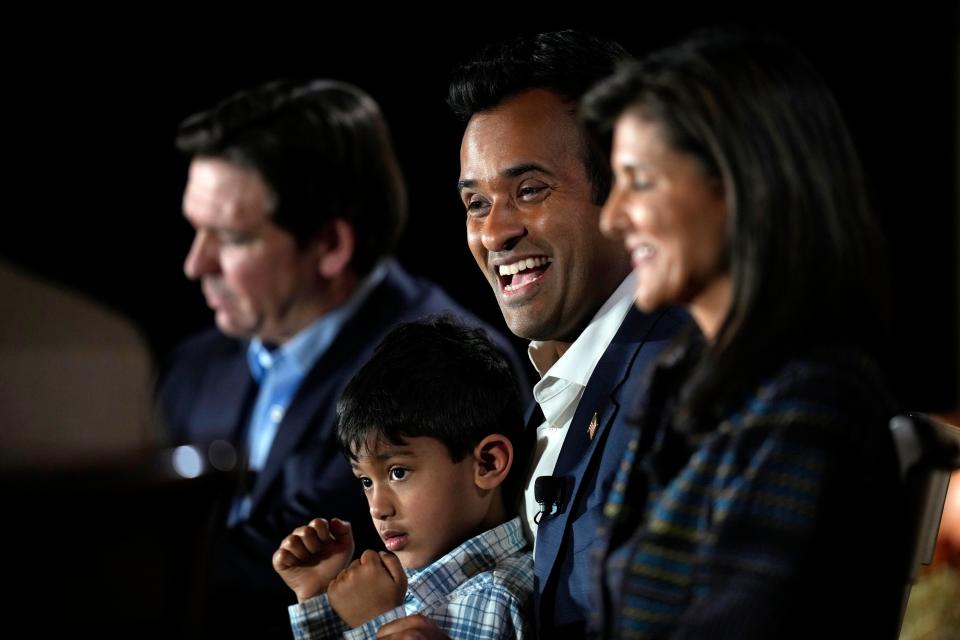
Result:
[{"x": 432, "y": 378}]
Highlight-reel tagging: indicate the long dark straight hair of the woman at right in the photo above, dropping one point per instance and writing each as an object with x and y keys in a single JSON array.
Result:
[{"x": 805, "y": 249}]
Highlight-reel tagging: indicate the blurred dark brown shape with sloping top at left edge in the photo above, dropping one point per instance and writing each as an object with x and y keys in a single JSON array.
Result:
[{"x": 75, "y": 376}]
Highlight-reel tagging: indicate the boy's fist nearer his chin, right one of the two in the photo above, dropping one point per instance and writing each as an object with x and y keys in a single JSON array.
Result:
[{"x": 372, "y": 585}]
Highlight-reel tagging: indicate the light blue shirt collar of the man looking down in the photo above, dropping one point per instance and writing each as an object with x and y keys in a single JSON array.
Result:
[{"x": 305, "y": 348}]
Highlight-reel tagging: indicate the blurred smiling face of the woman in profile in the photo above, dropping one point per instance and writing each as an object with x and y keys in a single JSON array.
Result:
[{"x": 672, "y": 218}]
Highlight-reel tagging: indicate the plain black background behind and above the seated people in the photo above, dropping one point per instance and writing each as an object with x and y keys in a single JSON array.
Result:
[{"x": 93, "y": 182}]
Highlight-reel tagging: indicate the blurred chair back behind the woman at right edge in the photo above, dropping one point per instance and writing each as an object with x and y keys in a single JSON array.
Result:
[{"x": 927, "y": 455}]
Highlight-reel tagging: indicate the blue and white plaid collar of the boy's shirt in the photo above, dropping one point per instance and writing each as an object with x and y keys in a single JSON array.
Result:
[{"x": 480, "y": 553}]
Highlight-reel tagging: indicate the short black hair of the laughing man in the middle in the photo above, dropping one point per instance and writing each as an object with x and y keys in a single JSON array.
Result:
[{"x": 566, "y": 62}]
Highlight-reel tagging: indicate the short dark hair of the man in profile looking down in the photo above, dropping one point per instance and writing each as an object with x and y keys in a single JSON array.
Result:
[{"x": 324, "y": 150}]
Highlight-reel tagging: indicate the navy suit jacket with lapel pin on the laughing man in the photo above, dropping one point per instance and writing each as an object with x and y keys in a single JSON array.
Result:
[{"x": 566, "y": 541}]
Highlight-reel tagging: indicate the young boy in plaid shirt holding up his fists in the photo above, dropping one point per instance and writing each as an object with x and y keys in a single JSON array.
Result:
[{"x": 428, "y": 424}]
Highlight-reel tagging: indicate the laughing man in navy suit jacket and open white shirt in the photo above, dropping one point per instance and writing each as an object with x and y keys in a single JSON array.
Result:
[{"x": 532, "y": 187}]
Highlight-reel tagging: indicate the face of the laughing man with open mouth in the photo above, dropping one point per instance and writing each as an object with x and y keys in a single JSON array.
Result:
[{"x": 532, "y": 217}]
